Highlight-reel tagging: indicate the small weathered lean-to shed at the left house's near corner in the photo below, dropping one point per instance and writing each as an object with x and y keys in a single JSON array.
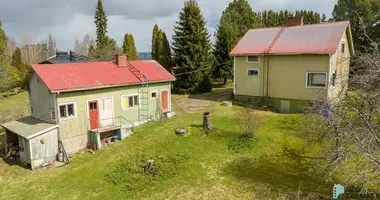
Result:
[{"x": 32, "y": 141}]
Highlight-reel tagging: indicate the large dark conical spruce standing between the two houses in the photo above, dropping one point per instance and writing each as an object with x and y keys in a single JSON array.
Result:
[{"x": 192, "y": 50}]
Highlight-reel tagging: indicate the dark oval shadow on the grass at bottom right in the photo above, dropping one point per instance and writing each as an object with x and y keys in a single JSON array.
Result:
[{"x": 277, "y": 175}]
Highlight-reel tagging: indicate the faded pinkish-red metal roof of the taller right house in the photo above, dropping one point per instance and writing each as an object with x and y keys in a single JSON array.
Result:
[{"x": 315, "y": 38}]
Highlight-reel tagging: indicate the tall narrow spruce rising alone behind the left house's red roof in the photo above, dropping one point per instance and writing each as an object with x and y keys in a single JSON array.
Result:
[{"x": 101, "y": 25}]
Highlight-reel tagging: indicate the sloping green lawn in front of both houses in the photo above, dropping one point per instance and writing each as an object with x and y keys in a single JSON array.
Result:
[{"x": 217, "y": 165}]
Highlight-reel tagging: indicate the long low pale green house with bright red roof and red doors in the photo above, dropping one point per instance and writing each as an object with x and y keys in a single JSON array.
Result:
[{"x": 93, "y": 102}]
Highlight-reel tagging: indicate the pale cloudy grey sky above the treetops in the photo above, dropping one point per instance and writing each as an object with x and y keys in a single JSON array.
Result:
[{"x": 69, "y": 20}]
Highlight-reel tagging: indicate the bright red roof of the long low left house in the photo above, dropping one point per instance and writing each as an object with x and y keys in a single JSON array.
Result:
[{"x": 76, "y": 76}]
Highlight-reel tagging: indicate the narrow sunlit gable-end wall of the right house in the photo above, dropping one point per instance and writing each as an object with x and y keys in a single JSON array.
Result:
[{"x": 341, "y": 65}]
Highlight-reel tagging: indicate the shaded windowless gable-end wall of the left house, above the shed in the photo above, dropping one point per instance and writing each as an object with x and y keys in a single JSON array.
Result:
[{"x": 41, "y": 99}]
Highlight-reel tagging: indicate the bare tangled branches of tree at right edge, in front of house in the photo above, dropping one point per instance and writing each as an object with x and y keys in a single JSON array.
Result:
[{"x": 348, "y": 129}]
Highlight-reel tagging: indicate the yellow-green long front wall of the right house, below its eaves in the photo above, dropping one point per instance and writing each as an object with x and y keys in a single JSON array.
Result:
[{"x": 287, "y": 76}]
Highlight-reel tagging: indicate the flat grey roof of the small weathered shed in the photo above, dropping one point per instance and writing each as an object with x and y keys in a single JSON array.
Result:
[{"x": 29, "y": 127}]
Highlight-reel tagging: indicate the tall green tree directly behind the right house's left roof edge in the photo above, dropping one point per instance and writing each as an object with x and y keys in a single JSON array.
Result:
[{"x": 236, "y": 20}]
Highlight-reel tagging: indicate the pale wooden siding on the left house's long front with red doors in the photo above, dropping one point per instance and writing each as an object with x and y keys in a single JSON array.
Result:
[{"x": 79, "y": 125}]
